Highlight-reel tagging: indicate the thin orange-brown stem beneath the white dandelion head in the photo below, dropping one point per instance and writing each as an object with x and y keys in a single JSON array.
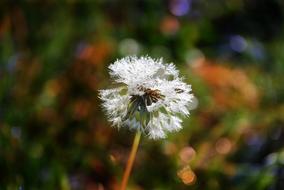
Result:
[{"x": 130, "y": 160}]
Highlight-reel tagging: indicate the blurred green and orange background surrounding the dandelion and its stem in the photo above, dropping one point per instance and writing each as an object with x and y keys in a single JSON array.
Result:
[{"x": 54, "y": 57}]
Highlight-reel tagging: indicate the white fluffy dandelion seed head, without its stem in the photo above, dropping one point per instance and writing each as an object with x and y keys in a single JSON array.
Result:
[{"x": 151, "y": 97}]
